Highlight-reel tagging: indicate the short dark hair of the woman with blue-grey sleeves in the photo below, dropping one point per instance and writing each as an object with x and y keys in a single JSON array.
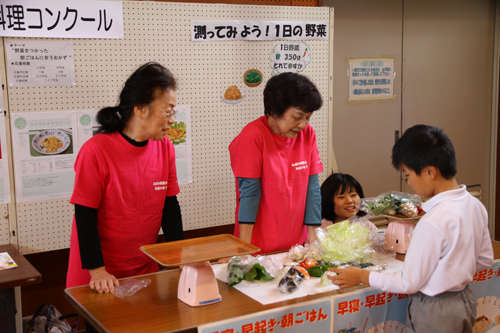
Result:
[{"x": 290, "y": 89}]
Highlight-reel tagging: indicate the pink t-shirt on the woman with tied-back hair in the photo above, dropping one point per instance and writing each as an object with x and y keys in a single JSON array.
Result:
[{"x": 128, "y": 186}]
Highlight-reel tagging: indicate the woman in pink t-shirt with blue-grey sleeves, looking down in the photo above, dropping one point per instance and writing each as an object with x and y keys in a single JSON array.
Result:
[{"x": 275, "y": 161}]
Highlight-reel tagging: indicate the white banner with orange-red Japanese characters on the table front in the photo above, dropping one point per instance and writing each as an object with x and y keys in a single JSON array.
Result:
[{"x": 305, "y": 317}]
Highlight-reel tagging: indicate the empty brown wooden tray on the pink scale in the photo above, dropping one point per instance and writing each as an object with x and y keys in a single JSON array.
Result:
[{"x": 188, "y": 251}]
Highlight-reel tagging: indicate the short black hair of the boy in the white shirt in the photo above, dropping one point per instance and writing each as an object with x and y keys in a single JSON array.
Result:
[{"x": 421, "y": 146}]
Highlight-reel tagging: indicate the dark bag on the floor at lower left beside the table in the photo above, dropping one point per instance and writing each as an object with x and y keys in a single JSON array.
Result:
[{"x": 56, "y": 323}]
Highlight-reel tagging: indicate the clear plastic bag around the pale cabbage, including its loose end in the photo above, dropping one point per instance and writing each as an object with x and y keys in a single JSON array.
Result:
[{"x": 352, "y": 241}]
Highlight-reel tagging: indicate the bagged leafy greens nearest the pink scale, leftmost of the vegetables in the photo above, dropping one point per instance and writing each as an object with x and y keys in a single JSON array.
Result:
[{"x": 251, "y": 268}]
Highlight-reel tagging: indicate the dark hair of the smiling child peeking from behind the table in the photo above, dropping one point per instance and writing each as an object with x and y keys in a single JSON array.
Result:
[{"x": 337, "y": 183}]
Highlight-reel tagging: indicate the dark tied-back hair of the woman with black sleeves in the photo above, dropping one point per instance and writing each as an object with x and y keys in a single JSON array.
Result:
[{"x": 141, "y": 88}]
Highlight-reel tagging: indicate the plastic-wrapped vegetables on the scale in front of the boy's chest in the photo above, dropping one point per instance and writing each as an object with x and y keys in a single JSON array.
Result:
[{"x": 392, "y": 203}]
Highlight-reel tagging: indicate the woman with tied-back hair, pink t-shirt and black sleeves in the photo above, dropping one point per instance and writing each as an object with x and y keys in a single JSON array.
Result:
[{"x": 126, "y": 184}]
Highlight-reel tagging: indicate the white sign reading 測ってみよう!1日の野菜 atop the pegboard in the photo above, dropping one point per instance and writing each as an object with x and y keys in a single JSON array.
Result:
[{"x": 218, "y": 31}]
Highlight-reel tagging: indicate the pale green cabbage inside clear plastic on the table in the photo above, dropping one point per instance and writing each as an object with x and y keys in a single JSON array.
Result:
[{"x": 344, "y": 241}]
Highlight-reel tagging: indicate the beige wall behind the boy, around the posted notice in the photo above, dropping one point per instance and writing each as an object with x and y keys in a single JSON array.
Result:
[{"x": 444, "y": 65}]
